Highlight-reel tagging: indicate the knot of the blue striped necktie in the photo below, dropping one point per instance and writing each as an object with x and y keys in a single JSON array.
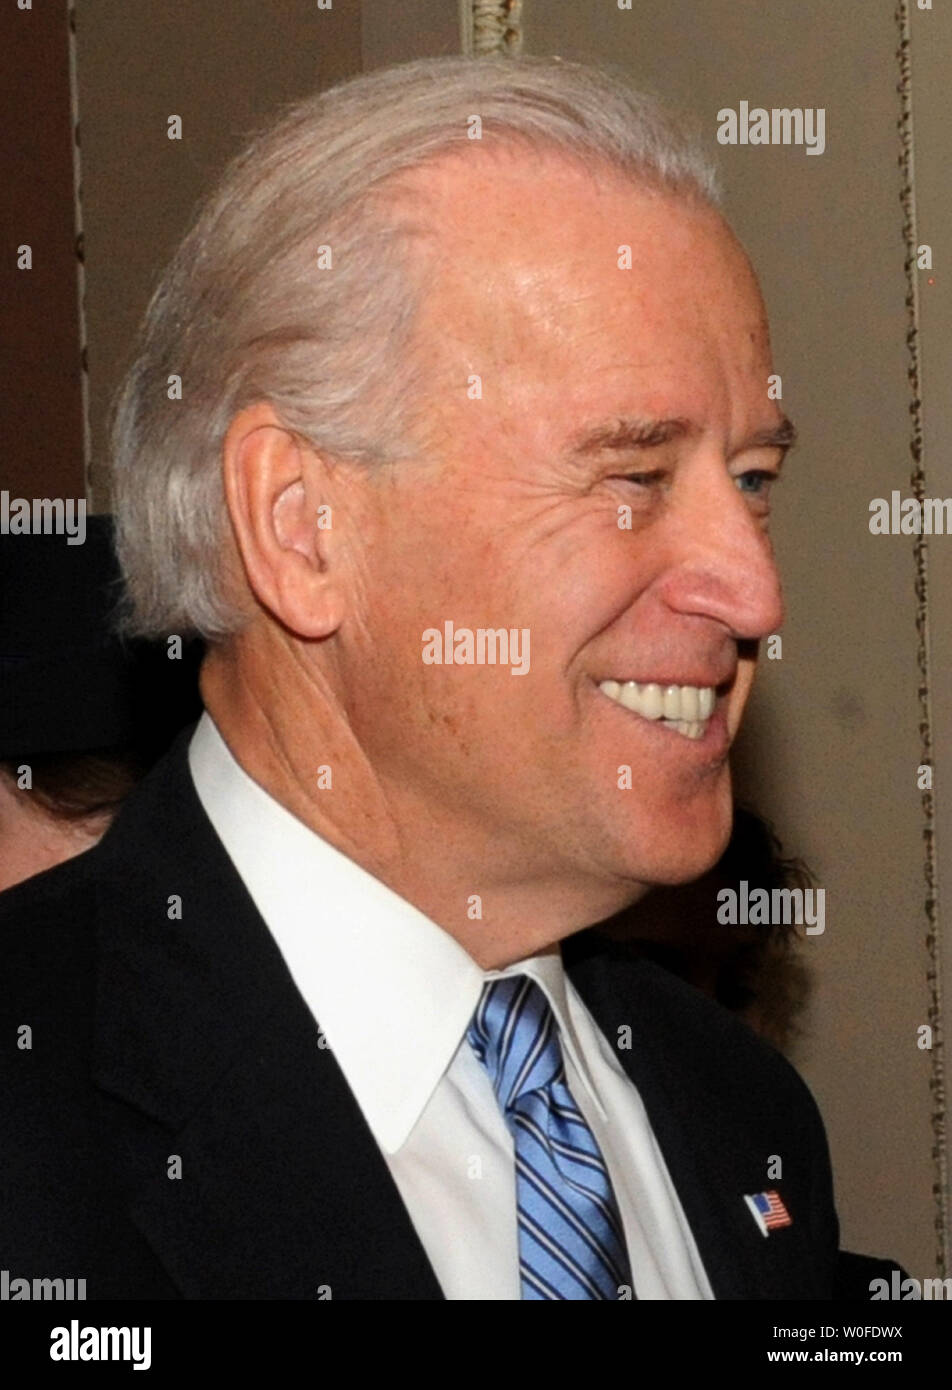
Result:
[{"x": 515, "y": 1036}]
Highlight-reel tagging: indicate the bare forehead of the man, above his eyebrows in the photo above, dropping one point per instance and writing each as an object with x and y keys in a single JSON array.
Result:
[{"x": 527, "y": 275}]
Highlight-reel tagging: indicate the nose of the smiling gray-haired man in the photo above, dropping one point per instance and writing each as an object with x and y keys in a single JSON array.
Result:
[{"x": 725, "y": 566}]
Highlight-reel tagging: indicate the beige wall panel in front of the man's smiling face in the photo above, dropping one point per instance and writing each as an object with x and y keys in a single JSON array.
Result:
[{"x": 832, "y": 747}]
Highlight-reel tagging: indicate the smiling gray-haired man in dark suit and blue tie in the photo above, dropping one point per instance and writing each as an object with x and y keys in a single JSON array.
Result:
[{"x": 469, "y": 489}]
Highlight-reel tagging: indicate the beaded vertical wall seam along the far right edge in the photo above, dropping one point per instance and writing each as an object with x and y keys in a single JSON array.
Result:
[{"x": 924, "y": 654}]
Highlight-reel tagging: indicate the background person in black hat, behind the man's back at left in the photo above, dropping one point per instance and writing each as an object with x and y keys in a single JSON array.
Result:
[{"x": 83, "y": 714}]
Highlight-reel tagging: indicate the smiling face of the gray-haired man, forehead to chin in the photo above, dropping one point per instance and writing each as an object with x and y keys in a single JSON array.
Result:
[{"x": 607, "y": 494}]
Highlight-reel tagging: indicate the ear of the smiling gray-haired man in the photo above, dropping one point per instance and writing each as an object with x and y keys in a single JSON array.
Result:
[{"x": 274, "y": 486}]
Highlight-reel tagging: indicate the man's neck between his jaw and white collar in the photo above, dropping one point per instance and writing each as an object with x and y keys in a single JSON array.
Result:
[{"x": 423, "y": 853}]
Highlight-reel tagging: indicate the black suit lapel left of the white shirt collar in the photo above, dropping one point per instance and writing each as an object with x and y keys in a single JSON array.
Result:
[{"x": 251, "y": 1171}]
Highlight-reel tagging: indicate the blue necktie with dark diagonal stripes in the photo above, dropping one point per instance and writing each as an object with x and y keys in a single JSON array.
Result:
[{"x": 571, "y": 1238}]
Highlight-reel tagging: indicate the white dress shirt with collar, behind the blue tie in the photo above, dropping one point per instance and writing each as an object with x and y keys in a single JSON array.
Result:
[{"x": 394, "y": 995}]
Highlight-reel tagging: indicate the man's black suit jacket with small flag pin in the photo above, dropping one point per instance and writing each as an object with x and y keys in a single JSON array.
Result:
[{"x": 156, "y": 1040}]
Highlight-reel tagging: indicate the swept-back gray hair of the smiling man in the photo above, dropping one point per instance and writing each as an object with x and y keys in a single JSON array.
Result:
[{"x": 244, "y": 315}]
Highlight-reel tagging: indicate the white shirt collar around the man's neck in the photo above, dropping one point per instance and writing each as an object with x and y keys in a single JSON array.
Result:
[{"x": 393, "y": 992}]
